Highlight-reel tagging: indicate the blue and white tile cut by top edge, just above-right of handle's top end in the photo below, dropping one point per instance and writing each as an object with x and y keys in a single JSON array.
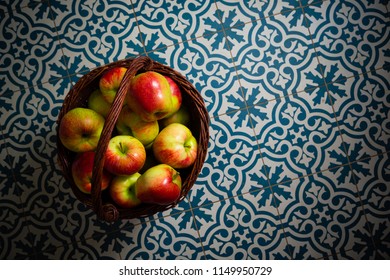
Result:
[{"x": 166, "y": 23}]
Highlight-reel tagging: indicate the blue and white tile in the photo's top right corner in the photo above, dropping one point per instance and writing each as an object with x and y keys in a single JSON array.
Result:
[{"x": 351, "y": 37}]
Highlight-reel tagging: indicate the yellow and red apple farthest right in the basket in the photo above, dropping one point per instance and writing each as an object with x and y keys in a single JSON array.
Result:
[{"x": 176, "y": 146}]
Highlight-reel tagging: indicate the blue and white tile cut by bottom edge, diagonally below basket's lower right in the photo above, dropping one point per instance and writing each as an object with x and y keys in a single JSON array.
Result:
[{"x": 243, "y": 227}]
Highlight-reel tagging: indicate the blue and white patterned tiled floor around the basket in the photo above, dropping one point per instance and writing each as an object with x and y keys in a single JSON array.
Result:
[{"x": 298, "y": 92}]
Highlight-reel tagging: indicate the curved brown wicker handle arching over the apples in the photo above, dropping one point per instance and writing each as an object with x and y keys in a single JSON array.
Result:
[{"x": 109, "y": 212}]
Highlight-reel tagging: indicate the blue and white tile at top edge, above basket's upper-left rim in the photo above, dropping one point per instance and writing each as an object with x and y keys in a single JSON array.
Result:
[{"x": 94, "y": 33}]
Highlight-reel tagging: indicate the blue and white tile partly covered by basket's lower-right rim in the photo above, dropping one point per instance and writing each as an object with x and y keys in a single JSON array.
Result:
[{"x": 233, "y": 164}]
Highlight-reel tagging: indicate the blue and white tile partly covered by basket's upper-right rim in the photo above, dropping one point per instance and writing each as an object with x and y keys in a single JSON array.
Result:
[{"x": 206, "y": 63}]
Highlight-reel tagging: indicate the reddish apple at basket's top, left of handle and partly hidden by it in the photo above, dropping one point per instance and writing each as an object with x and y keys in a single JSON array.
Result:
[{"x": 110, "y": 81}]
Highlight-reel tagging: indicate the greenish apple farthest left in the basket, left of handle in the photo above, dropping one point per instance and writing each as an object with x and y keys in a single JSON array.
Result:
[{"x": 80, "y": 129}]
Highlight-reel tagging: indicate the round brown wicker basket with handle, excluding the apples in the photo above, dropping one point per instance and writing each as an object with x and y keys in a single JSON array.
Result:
[{"x": 99, "y": 201}]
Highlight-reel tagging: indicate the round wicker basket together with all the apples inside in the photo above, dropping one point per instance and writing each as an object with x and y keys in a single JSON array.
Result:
[{"x": 132, "y": 137}]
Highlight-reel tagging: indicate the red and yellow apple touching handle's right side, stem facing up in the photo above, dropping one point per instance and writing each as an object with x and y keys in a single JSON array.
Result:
[{"x": 125, "y": 155}]
